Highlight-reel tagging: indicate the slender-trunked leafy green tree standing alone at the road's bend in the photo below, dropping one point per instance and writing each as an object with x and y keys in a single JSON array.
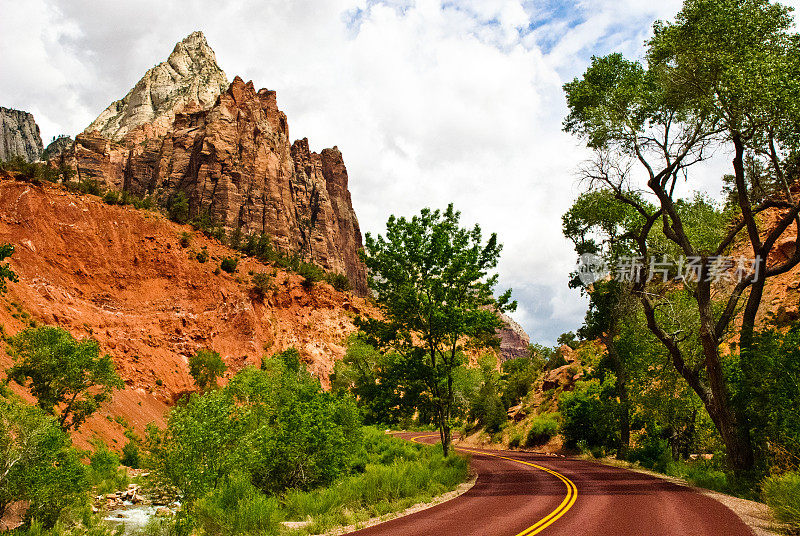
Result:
[{"x": 431, "y": 279}]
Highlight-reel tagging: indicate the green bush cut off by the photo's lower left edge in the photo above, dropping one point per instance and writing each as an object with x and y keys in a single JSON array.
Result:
[{"x": 37, "y": 463}]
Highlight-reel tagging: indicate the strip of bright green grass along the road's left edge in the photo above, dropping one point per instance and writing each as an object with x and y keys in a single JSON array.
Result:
[{"x": 389, "y": 475}]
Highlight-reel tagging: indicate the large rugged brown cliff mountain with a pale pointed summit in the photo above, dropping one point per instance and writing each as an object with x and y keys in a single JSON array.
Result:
[{"x": 233, "y": 161}]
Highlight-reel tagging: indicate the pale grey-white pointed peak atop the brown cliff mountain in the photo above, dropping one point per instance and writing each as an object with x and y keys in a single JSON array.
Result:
[{"x": 189, "y": 77}]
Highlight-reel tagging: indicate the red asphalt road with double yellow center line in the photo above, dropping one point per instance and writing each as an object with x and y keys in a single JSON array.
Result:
[{"x": 510, "y": 497}]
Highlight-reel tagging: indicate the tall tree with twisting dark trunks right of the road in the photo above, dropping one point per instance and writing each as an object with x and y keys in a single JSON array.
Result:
[{"x": 704, "y": 87}]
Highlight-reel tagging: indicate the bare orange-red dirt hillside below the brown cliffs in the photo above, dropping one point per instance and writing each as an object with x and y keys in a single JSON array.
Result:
[{"x": 120, "y": 275}]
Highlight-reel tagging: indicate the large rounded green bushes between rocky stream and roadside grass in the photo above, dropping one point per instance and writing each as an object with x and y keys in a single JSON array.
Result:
[{"x": 276, "y": 425}]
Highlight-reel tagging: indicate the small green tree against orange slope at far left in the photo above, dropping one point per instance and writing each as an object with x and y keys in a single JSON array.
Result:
[{"x": 69, "y": 378}]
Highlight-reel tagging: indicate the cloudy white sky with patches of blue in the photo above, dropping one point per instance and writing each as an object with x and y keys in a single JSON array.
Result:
[{"x": 430, "y": 101}]
